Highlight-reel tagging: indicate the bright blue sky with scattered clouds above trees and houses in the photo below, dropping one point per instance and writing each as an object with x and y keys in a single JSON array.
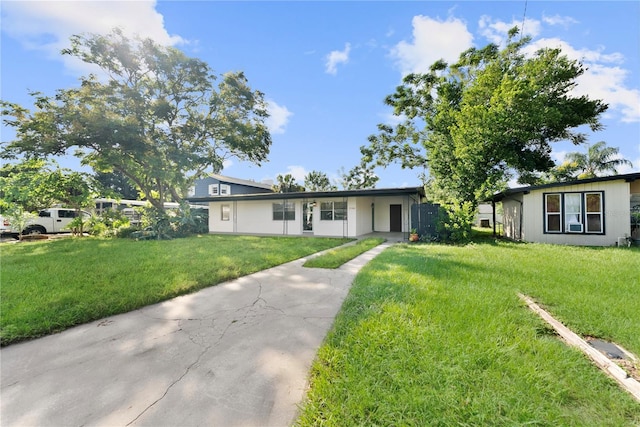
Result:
[{"x": 326, "y": 67}]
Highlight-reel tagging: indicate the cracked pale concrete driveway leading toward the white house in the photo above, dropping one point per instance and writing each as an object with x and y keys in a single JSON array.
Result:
[{"x": 236, "y": 354}]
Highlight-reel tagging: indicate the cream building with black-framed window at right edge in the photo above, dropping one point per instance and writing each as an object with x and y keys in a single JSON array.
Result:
[{"x": 593, "y": 212}]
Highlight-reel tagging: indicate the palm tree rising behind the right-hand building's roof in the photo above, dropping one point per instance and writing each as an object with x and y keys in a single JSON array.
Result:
[{"x": 598, "y": 159}]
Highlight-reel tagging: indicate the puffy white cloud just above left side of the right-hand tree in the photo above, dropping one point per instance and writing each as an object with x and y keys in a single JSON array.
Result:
[{"x": 432, "y": 40}]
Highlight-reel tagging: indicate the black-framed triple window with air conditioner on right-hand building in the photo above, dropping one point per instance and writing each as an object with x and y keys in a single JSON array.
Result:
[{"x": 574, "y": 213}]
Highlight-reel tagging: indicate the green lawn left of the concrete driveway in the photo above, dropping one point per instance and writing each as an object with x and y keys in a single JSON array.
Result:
[{"x": 49, "y": 286}]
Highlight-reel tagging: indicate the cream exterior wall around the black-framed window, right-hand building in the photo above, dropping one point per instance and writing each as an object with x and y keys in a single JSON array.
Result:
[{"x": 616, "y": 215}]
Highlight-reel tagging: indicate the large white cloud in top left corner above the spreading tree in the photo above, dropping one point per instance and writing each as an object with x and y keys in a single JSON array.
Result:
[{"x": 47, "y": 25}]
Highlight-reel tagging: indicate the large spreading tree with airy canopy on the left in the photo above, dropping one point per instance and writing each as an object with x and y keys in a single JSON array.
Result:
[{"x": 153, "y": 115}]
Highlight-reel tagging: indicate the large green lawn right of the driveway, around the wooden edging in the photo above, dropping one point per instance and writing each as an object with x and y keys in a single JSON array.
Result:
[{"x": 436, "y": 335}]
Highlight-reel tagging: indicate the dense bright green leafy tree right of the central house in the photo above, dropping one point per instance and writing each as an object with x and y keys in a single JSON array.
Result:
[{"x": 493, "y": 112}]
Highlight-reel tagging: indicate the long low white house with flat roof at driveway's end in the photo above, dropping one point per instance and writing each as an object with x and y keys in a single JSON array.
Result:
[{"x": 348, "y": 213}]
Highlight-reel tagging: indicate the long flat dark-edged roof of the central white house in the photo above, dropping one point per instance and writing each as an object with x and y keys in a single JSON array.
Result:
[{"x": 314, "y": 194}]
